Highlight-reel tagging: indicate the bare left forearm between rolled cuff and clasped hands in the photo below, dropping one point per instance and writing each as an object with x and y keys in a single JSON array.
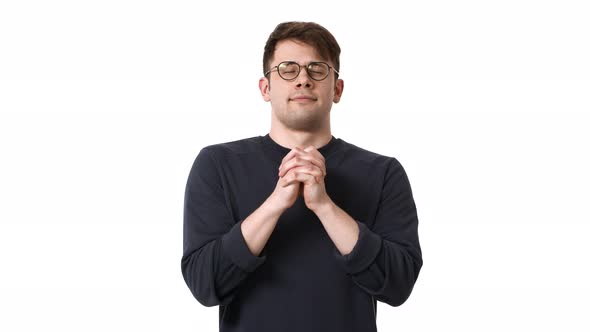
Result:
[{"x": 259, "y": 225}]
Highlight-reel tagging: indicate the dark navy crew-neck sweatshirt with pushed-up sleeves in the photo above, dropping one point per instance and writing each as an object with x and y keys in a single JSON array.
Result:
[{"x": 300, "y": 282}]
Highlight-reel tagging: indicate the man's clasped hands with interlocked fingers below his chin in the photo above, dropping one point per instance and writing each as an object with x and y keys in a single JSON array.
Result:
[{"x": 302, "y": 172}]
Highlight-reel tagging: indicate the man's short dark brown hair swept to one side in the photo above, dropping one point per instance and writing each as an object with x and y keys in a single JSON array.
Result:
[{"x": 309, "y": 33}]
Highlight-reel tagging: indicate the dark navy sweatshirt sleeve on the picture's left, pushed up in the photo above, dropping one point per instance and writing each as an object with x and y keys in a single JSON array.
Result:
[{"x": 215, "y": 256}]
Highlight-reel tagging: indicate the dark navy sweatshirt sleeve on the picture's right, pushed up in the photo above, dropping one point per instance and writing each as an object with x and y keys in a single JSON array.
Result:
[{"x": 387, "y": 258}]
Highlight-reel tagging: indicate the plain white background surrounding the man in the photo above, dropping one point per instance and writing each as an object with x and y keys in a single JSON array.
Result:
[{"x": 105, "y": 104}]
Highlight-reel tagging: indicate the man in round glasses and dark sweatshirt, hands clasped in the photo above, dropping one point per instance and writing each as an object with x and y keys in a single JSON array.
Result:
[{"x": 298, "y": 230}]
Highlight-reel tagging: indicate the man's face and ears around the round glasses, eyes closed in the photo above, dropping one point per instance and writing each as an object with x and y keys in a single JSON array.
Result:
[{"x": 301, "y": 104}]
